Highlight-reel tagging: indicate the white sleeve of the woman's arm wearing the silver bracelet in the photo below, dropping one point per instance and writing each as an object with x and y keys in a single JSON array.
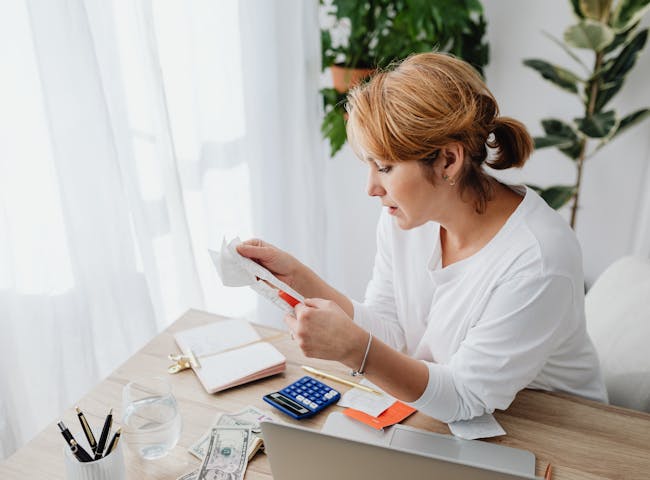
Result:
[{"x": 524, "y": 320}]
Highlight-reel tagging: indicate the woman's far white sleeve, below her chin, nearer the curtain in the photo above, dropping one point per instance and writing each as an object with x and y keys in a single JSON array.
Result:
[{"x": 378, "y": 313}]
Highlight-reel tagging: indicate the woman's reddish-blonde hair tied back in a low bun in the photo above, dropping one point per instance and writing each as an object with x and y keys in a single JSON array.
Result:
[{"x": 411, "y": 110}]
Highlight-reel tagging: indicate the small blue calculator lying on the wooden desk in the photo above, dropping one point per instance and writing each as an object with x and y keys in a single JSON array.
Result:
[{"x": 303, "y": 398}]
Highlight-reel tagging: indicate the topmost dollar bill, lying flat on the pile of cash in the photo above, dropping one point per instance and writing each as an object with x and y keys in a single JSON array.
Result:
[{"x": 226, "y": 457}]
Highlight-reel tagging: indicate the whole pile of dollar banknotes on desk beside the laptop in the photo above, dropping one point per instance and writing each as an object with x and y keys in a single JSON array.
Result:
[{"x": 228, "y": 445}]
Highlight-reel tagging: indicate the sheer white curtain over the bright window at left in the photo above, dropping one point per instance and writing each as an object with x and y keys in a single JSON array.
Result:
[{"x": 133, "y": 136}]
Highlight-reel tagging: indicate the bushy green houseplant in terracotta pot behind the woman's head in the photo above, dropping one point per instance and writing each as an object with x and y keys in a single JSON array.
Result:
[{"x": 371, "y": 34}]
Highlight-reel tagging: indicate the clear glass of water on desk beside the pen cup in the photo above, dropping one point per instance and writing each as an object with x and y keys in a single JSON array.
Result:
[{"x": 152, "y": 424}]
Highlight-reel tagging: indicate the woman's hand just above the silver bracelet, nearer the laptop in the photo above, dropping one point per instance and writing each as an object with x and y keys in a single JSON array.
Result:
[{"x": 323, "y": 330}]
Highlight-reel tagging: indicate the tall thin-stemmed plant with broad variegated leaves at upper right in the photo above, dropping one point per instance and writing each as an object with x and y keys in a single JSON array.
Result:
[{"x": 612, "y": 34}]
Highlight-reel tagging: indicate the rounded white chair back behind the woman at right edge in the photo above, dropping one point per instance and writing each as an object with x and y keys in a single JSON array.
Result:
[{"x": 618, "y": 320}]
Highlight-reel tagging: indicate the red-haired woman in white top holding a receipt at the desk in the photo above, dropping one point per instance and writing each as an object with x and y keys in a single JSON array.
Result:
[{"x": 477, "y": 288}]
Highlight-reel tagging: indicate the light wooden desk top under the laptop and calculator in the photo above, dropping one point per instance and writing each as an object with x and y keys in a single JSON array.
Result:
[{"x": 582, "y": 439}]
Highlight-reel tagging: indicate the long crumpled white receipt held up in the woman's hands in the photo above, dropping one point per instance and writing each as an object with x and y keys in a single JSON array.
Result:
[{"x": 238, "y": 271}]
